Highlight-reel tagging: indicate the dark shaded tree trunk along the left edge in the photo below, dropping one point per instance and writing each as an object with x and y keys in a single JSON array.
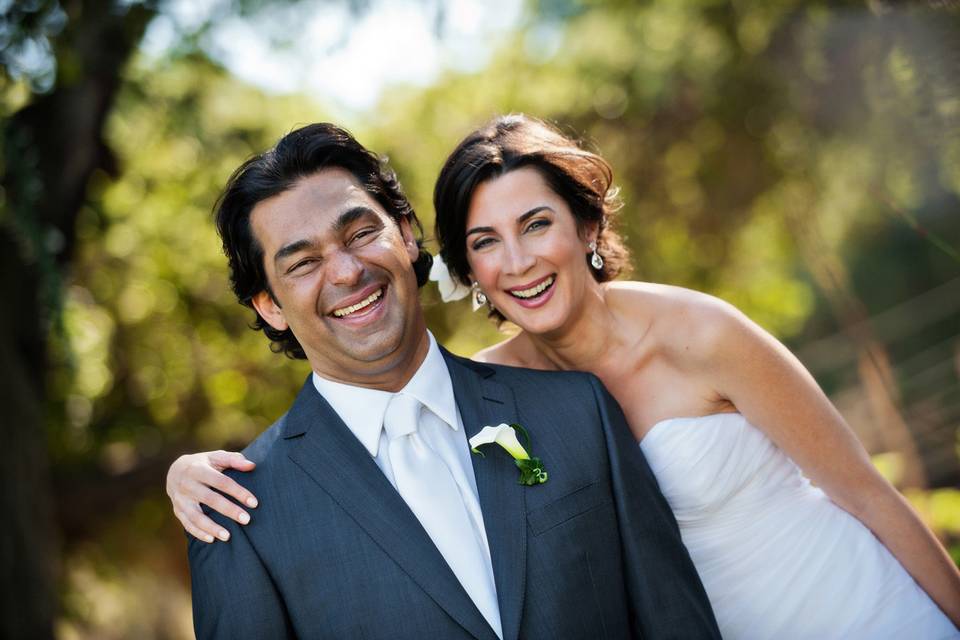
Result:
[{"x": 51, "y": 149}]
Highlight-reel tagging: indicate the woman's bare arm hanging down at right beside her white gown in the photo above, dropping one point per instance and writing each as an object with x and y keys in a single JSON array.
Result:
[{"x": 774, "y": 391}]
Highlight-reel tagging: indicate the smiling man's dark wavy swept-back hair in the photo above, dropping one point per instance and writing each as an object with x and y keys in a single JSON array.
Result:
[{"x": 299, "y": 154}]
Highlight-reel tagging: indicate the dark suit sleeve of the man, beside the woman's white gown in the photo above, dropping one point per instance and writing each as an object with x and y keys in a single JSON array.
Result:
[{"x": 666, "y": 596}]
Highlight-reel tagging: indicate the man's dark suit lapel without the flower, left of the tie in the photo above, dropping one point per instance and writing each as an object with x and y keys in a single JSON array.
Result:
[{"x": 323, "y": 446}]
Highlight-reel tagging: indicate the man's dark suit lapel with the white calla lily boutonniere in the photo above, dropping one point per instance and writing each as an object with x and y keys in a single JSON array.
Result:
[{"x": 483, "y": 401}]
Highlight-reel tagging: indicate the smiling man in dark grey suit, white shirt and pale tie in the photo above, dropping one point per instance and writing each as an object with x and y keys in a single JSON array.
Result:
[{"x": 375, "y": 519}]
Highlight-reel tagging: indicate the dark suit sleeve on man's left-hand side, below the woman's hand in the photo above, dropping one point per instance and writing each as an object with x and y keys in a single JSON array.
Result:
[{"x": 234, "y": 596}]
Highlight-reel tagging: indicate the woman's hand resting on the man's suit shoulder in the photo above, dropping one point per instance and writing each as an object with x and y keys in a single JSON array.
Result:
[{"x": 190, "y": 482}]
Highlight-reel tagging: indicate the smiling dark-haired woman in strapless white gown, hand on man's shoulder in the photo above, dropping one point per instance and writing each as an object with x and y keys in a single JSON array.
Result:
[{"x": 725, "y": 415}]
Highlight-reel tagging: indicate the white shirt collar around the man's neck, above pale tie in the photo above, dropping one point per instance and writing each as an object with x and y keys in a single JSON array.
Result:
[{"x": 362, "y": 409}]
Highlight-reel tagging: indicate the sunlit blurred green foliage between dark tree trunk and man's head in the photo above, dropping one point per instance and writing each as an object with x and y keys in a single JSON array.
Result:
[{"x": 158, "y": 348}]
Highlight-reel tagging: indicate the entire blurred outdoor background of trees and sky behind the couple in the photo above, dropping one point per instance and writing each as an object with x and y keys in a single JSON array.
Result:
[{"x": 798, "y": 159}]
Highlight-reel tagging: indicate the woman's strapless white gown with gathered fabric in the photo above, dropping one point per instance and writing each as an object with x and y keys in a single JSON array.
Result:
[{"x": 778, "y": 559}]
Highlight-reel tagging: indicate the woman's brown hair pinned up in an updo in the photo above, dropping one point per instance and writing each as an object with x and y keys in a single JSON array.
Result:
[{"x": 582, "y": 178}]
